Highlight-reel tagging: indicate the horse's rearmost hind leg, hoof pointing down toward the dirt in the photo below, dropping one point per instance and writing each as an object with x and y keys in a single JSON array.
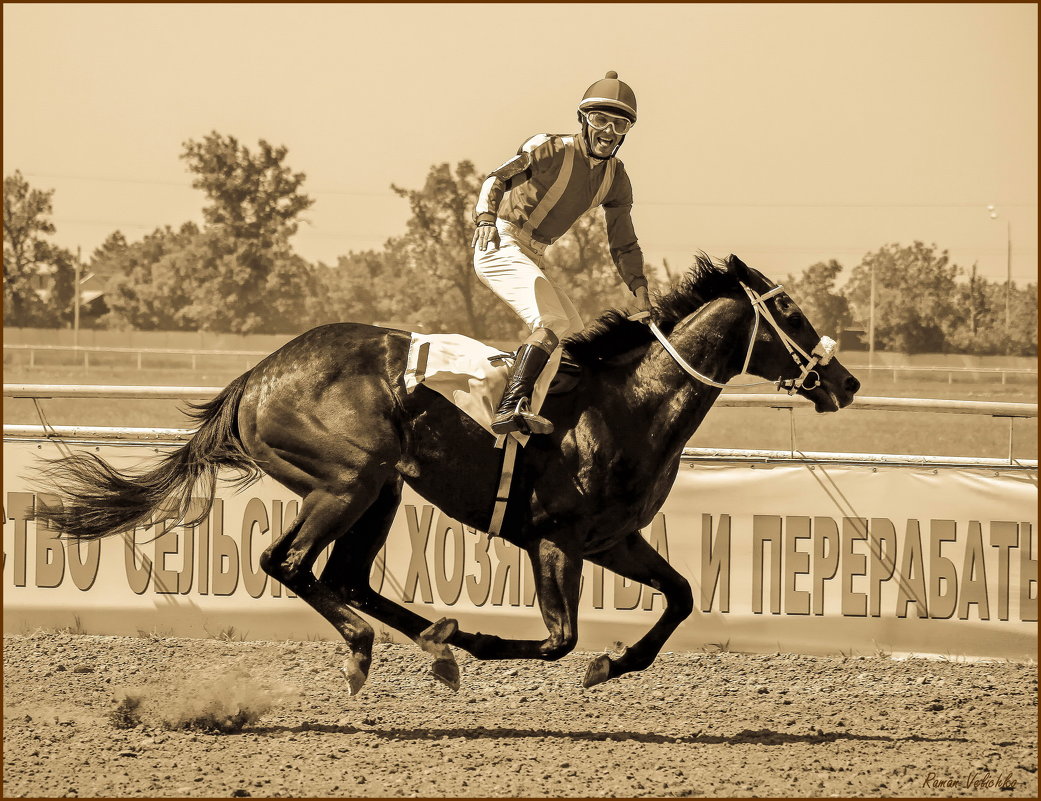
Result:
[{"x": 323, "y": 518}]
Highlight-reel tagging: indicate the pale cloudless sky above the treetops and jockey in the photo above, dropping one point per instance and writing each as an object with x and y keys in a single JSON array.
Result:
[{"x": 784, "y": 134}]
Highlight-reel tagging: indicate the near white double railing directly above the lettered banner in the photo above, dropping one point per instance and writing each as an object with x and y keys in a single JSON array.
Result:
[{"x": 39, "y": 392}]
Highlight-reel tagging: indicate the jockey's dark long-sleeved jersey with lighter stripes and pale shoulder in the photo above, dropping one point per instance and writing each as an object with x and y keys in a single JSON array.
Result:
[{"x": 551, "y": 184}]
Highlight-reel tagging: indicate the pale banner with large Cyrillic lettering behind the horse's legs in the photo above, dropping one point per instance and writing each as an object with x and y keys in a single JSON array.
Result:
[{"x": 813, "y": 559}]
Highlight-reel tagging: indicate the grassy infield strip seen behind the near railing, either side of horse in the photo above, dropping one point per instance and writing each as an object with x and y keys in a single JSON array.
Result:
[{"x": 850, "y": 432}]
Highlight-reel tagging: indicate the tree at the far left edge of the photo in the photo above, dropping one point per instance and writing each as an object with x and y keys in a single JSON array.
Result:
[{"x": 39, "y": 277}]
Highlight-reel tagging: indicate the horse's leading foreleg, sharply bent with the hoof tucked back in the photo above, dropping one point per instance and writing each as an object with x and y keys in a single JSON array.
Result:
[{"x": 637, "y": 560}]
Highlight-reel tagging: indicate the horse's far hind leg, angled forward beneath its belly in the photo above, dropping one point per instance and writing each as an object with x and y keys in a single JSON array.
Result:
[{"x": 348, "y": 573}]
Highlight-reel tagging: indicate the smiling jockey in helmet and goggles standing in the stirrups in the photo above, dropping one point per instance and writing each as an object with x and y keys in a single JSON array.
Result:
[{"x": 530, "y": 203}]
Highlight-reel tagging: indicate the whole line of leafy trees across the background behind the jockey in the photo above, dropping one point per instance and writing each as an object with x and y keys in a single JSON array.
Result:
[{"x": 239, "y": 273}]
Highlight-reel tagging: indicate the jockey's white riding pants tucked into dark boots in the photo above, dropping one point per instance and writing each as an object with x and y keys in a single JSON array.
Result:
[{"x": 515, "y": 273}]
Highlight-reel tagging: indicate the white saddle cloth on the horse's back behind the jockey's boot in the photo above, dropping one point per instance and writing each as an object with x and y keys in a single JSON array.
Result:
[{"x": 459, "y": 368}]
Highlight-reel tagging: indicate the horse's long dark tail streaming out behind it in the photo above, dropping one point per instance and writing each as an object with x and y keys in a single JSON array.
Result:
[{"x": 97, "y": 500}]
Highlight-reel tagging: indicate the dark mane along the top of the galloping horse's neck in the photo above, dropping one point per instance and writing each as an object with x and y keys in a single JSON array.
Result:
[{"x": 613, "y": 334}]
